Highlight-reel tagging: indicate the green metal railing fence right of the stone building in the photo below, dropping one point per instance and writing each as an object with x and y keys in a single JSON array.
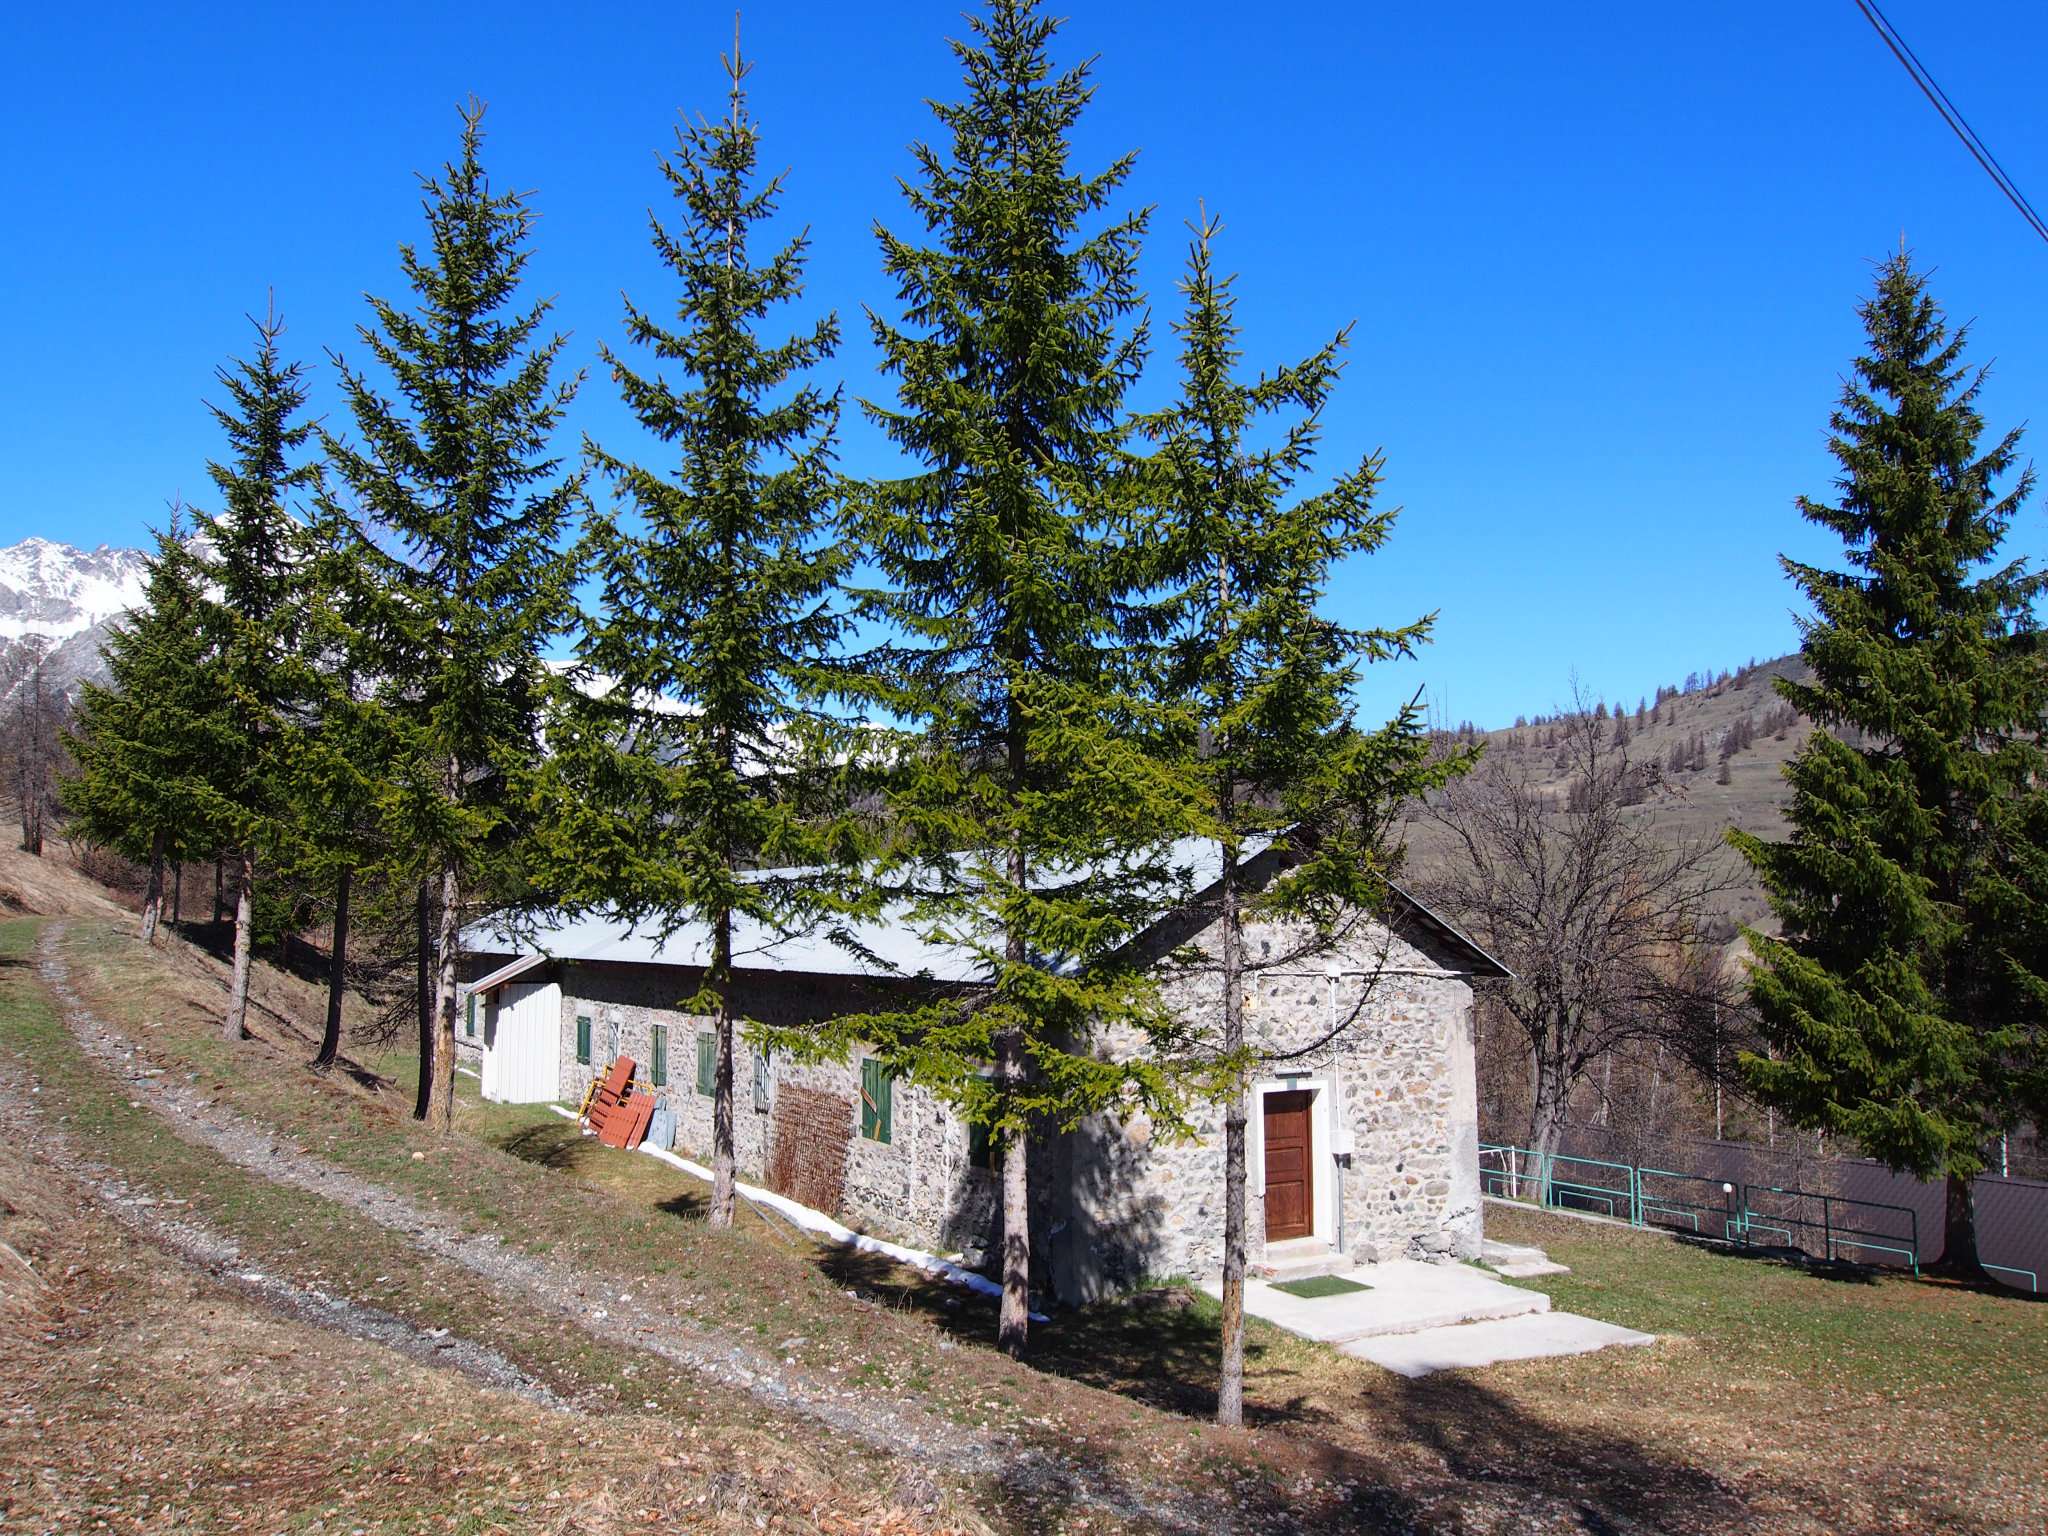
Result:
[{"x": 1736, "y": 1193}]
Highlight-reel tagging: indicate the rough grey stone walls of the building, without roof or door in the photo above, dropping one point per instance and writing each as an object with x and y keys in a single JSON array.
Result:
[{"x": 1119, "y": 1199}]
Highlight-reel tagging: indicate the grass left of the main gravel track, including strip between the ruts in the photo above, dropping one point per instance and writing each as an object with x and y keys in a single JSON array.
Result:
[{"x": 148, "y": 1398}]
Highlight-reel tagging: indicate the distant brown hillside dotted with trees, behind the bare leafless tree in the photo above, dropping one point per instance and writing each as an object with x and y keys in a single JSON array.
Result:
[{"x": 1682, "y": 734}]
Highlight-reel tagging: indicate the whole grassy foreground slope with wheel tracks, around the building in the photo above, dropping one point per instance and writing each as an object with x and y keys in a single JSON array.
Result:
[{"x": 323, "y": 1318}]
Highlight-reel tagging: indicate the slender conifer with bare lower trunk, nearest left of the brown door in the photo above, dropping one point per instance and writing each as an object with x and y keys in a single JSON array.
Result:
[{"x": 1261, "y": 681}]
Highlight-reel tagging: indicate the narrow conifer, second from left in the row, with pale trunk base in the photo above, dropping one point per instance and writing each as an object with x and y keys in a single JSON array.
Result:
[{"x": 253, "y": 570}]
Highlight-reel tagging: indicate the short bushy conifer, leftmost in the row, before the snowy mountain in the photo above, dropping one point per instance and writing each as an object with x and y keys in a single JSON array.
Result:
[{"x": 144, "y": 744}]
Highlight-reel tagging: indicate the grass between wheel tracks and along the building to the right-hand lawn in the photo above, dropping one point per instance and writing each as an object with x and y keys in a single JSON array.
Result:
[{"x": 1785, "y": 1402}]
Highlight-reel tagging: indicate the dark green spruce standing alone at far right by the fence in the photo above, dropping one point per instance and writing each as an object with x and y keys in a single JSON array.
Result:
[{"x": 1904, "y": 1000}]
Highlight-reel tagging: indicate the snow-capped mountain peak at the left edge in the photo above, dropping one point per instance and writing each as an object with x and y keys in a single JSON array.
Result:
[{"x": 56, "y": 605}]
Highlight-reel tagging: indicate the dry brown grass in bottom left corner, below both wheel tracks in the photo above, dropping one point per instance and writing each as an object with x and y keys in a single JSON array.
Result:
[{"x": 144, "y": 1396}]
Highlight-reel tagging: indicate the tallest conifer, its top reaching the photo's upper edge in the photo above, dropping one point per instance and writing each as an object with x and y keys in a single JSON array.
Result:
[{"x": 1027, "y": 812}]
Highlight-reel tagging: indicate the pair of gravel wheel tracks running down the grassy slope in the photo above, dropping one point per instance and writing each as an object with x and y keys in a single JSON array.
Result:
[{"x": 597, "y": 1308}]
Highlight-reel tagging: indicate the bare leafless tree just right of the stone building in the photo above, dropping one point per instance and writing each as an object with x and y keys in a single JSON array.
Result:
[{"x": 1596, "y": 908}]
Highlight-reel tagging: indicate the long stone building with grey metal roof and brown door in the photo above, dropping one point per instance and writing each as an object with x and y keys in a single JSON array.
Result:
[{"x": 1363, "y": 1132}]
